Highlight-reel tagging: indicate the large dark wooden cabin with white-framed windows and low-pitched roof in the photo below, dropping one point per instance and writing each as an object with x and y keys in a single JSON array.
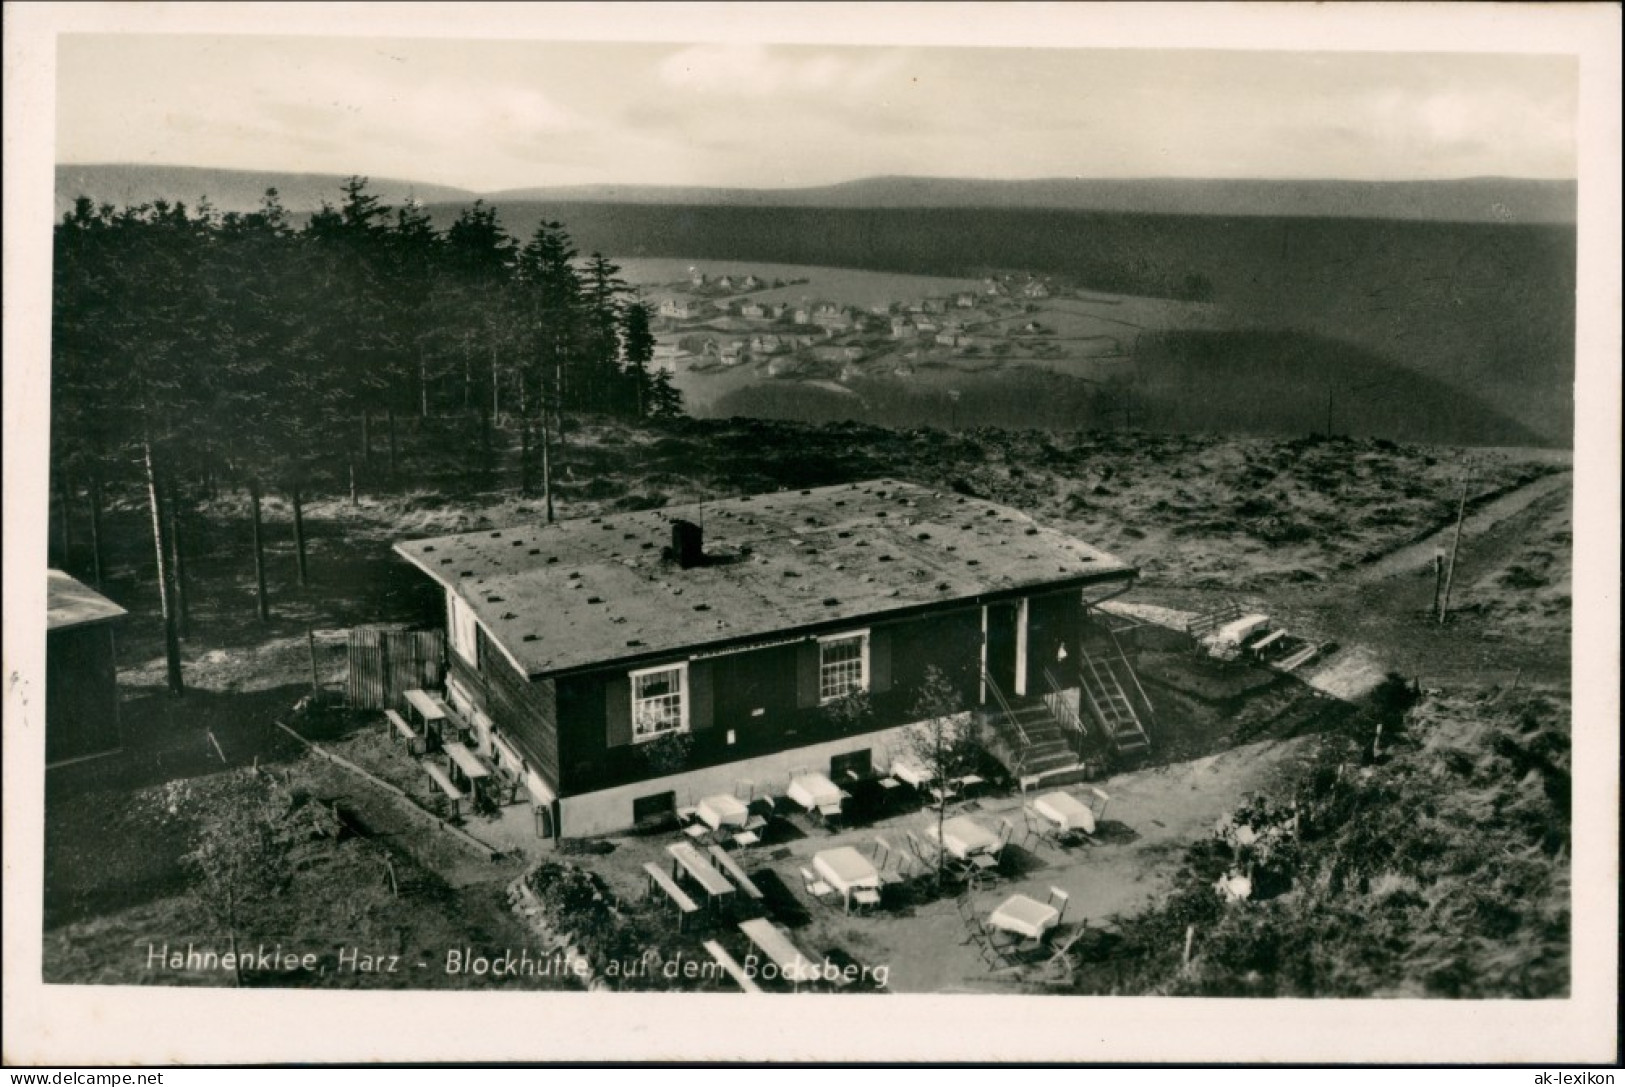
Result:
[{"x": 576, "y": 649}]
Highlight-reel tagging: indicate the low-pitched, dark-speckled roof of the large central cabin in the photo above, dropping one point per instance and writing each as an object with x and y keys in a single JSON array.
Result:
[{"x": 602, "y": 591}]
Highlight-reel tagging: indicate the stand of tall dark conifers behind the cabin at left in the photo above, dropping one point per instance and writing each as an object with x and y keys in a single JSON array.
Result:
[{"x": 194, "y": 349}]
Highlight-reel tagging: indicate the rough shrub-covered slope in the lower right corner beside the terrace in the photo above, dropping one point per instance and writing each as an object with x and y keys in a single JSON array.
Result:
[{"x": 1436, "y": 867}]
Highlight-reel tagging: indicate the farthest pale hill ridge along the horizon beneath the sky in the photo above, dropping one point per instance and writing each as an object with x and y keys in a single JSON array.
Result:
[{"x": 1465, "y": 201}]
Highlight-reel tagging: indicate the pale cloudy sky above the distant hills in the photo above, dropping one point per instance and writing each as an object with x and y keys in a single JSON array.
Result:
[{"x": 505, "y": 115}]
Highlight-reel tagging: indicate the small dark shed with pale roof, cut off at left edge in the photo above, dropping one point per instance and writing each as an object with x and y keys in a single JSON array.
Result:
[{"x": 82, "y": 686}]
